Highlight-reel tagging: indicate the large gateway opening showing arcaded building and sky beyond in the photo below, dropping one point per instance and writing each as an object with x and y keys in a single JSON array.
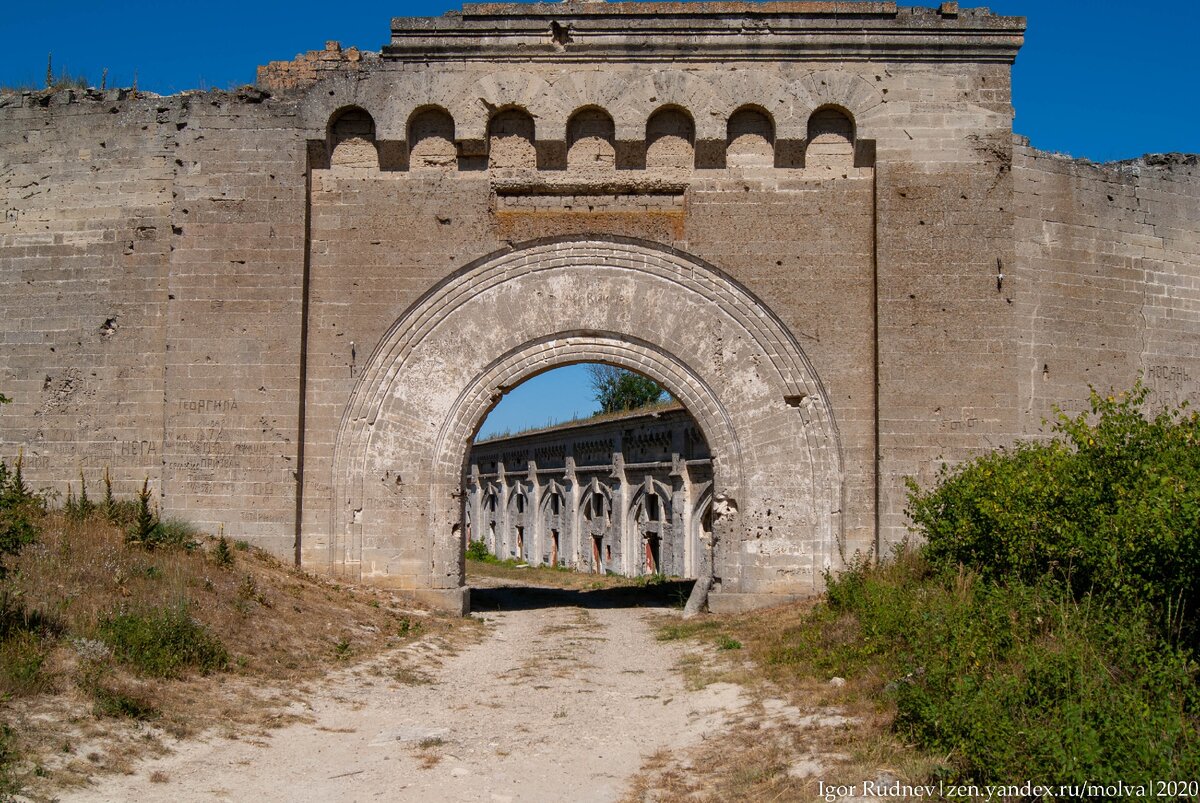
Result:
[{"x": 609, "y": 493}]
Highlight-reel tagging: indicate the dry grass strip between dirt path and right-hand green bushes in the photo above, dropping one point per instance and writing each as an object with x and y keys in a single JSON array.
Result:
[{"x": 797, "y": 732}]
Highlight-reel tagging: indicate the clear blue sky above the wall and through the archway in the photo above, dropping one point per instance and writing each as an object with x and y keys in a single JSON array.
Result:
[{"x": 1096, "y": 79}]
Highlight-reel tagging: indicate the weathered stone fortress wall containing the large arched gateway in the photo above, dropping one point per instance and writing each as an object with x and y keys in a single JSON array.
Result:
[{"x": 292, "y": 305}]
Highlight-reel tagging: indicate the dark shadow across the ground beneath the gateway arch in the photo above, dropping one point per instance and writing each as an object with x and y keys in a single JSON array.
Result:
[{"x": 515, "y": 597}]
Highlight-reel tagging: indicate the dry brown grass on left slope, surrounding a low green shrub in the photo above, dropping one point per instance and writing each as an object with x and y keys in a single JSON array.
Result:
[{"x": 279, "y": 626}]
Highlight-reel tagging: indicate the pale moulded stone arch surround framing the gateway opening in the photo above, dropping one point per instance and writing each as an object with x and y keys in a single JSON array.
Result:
[{"x": 403, "y": 445}]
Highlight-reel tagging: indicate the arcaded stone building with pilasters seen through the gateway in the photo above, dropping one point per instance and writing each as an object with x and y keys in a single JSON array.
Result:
[{"x": 629, "y": 495}]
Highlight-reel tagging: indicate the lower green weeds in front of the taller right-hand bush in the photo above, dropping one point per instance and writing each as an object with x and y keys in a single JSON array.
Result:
[{"x": 1017, "y": 681}]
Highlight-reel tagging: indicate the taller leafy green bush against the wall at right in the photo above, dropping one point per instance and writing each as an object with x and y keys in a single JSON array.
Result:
[{"x": 1111, "y": 507}]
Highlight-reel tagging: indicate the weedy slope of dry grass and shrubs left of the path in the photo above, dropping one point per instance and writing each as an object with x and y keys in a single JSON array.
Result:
[{"x": 118, "y": 628}]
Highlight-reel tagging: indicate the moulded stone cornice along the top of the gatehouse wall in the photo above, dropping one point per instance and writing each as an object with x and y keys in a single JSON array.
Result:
[{"x": 707, "y": 32}]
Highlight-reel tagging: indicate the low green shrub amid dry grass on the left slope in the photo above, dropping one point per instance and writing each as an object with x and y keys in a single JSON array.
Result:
[{"x": 164, "y": 644}]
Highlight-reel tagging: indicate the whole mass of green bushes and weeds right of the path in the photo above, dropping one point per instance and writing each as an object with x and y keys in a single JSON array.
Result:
[{"x": 1047, "y": 628}]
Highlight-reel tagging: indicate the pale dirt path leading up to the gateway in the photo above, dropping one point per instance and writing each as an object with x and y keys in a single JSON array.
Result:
[{"x": 563, "y": 700}]
